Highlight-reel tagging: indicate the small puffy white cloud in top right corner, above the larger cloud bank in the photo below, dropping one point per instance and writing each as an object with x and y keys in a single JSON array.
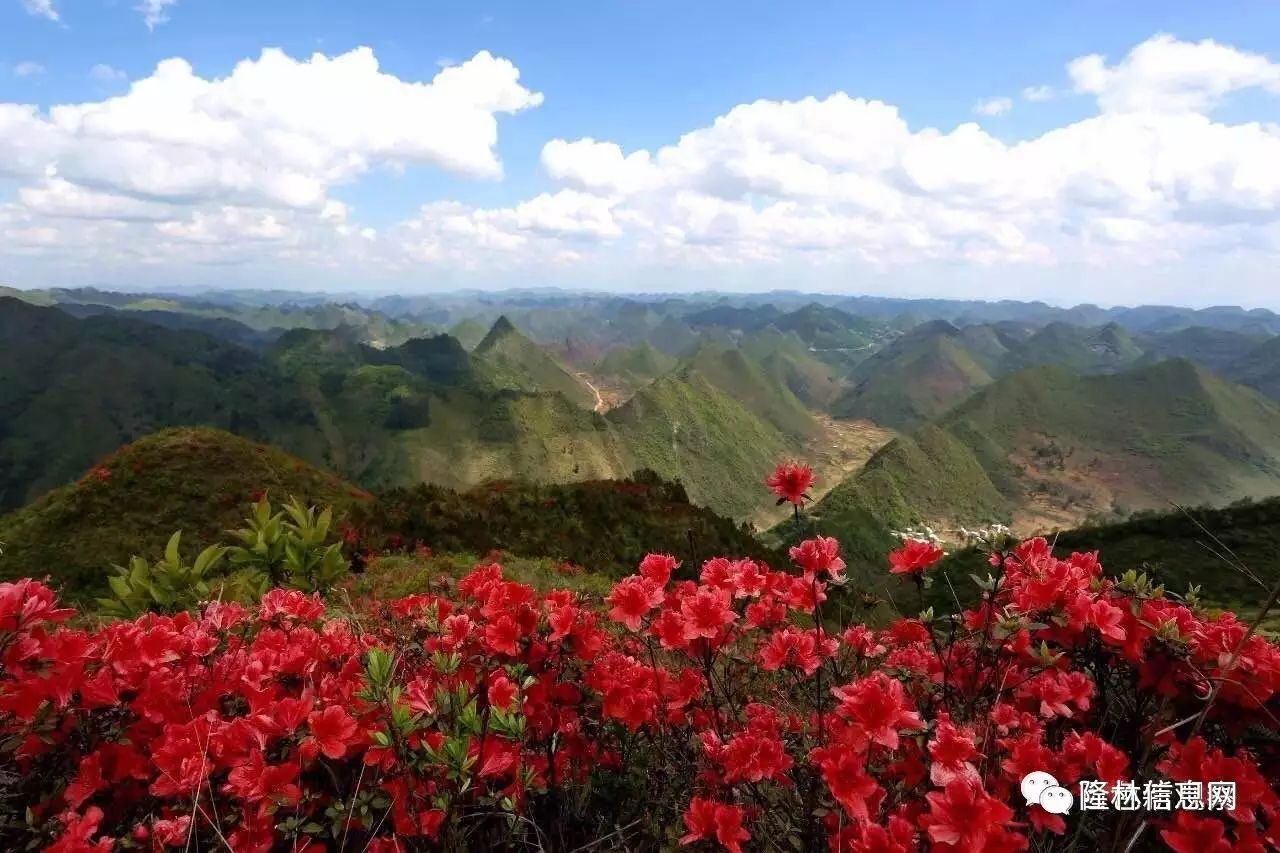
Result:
[{"x": 1165, "y": 75}]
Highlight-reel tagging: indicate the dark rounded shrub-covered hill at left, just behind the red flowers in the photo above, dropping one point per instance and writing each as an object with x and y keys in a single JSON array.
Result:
[{"x": 193, "y": 480}]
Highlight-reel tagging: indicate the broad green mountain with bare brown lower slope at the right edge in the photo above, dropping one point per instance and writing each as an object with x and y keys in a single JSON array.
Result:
[{"x": 1048, "y": 448}]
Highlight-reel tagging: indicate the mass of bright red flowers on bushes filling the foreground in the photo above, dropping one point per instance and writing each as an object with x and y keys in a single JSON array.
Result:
[{"x": 499, "y": 717}]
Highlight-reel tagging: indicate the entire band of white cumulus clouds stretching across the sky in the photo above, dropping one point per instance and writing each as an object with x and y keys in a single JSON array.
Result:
[{"x": 243, "y": 168}]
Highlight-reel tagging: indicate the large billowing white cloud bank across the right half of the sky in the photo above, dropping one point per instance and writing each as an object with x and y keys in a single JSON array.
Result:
[{"x": 845, "y": 179}]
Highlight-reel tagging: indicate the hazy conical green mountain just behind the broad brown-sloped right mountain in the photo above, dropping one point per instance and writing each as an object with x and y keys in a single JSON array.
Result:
[{"x": 918, "y": 377}]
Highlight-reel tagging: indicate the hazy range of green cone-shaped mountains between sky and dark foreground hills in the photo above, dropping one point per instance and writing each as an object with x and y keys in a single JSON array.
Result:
[{"x": 1020, "y": 413}]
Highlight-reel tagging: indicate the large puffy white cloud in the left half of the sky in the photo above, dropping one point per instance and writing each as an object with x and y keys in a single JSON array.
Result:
[{"x": 277, "y": 131}]
